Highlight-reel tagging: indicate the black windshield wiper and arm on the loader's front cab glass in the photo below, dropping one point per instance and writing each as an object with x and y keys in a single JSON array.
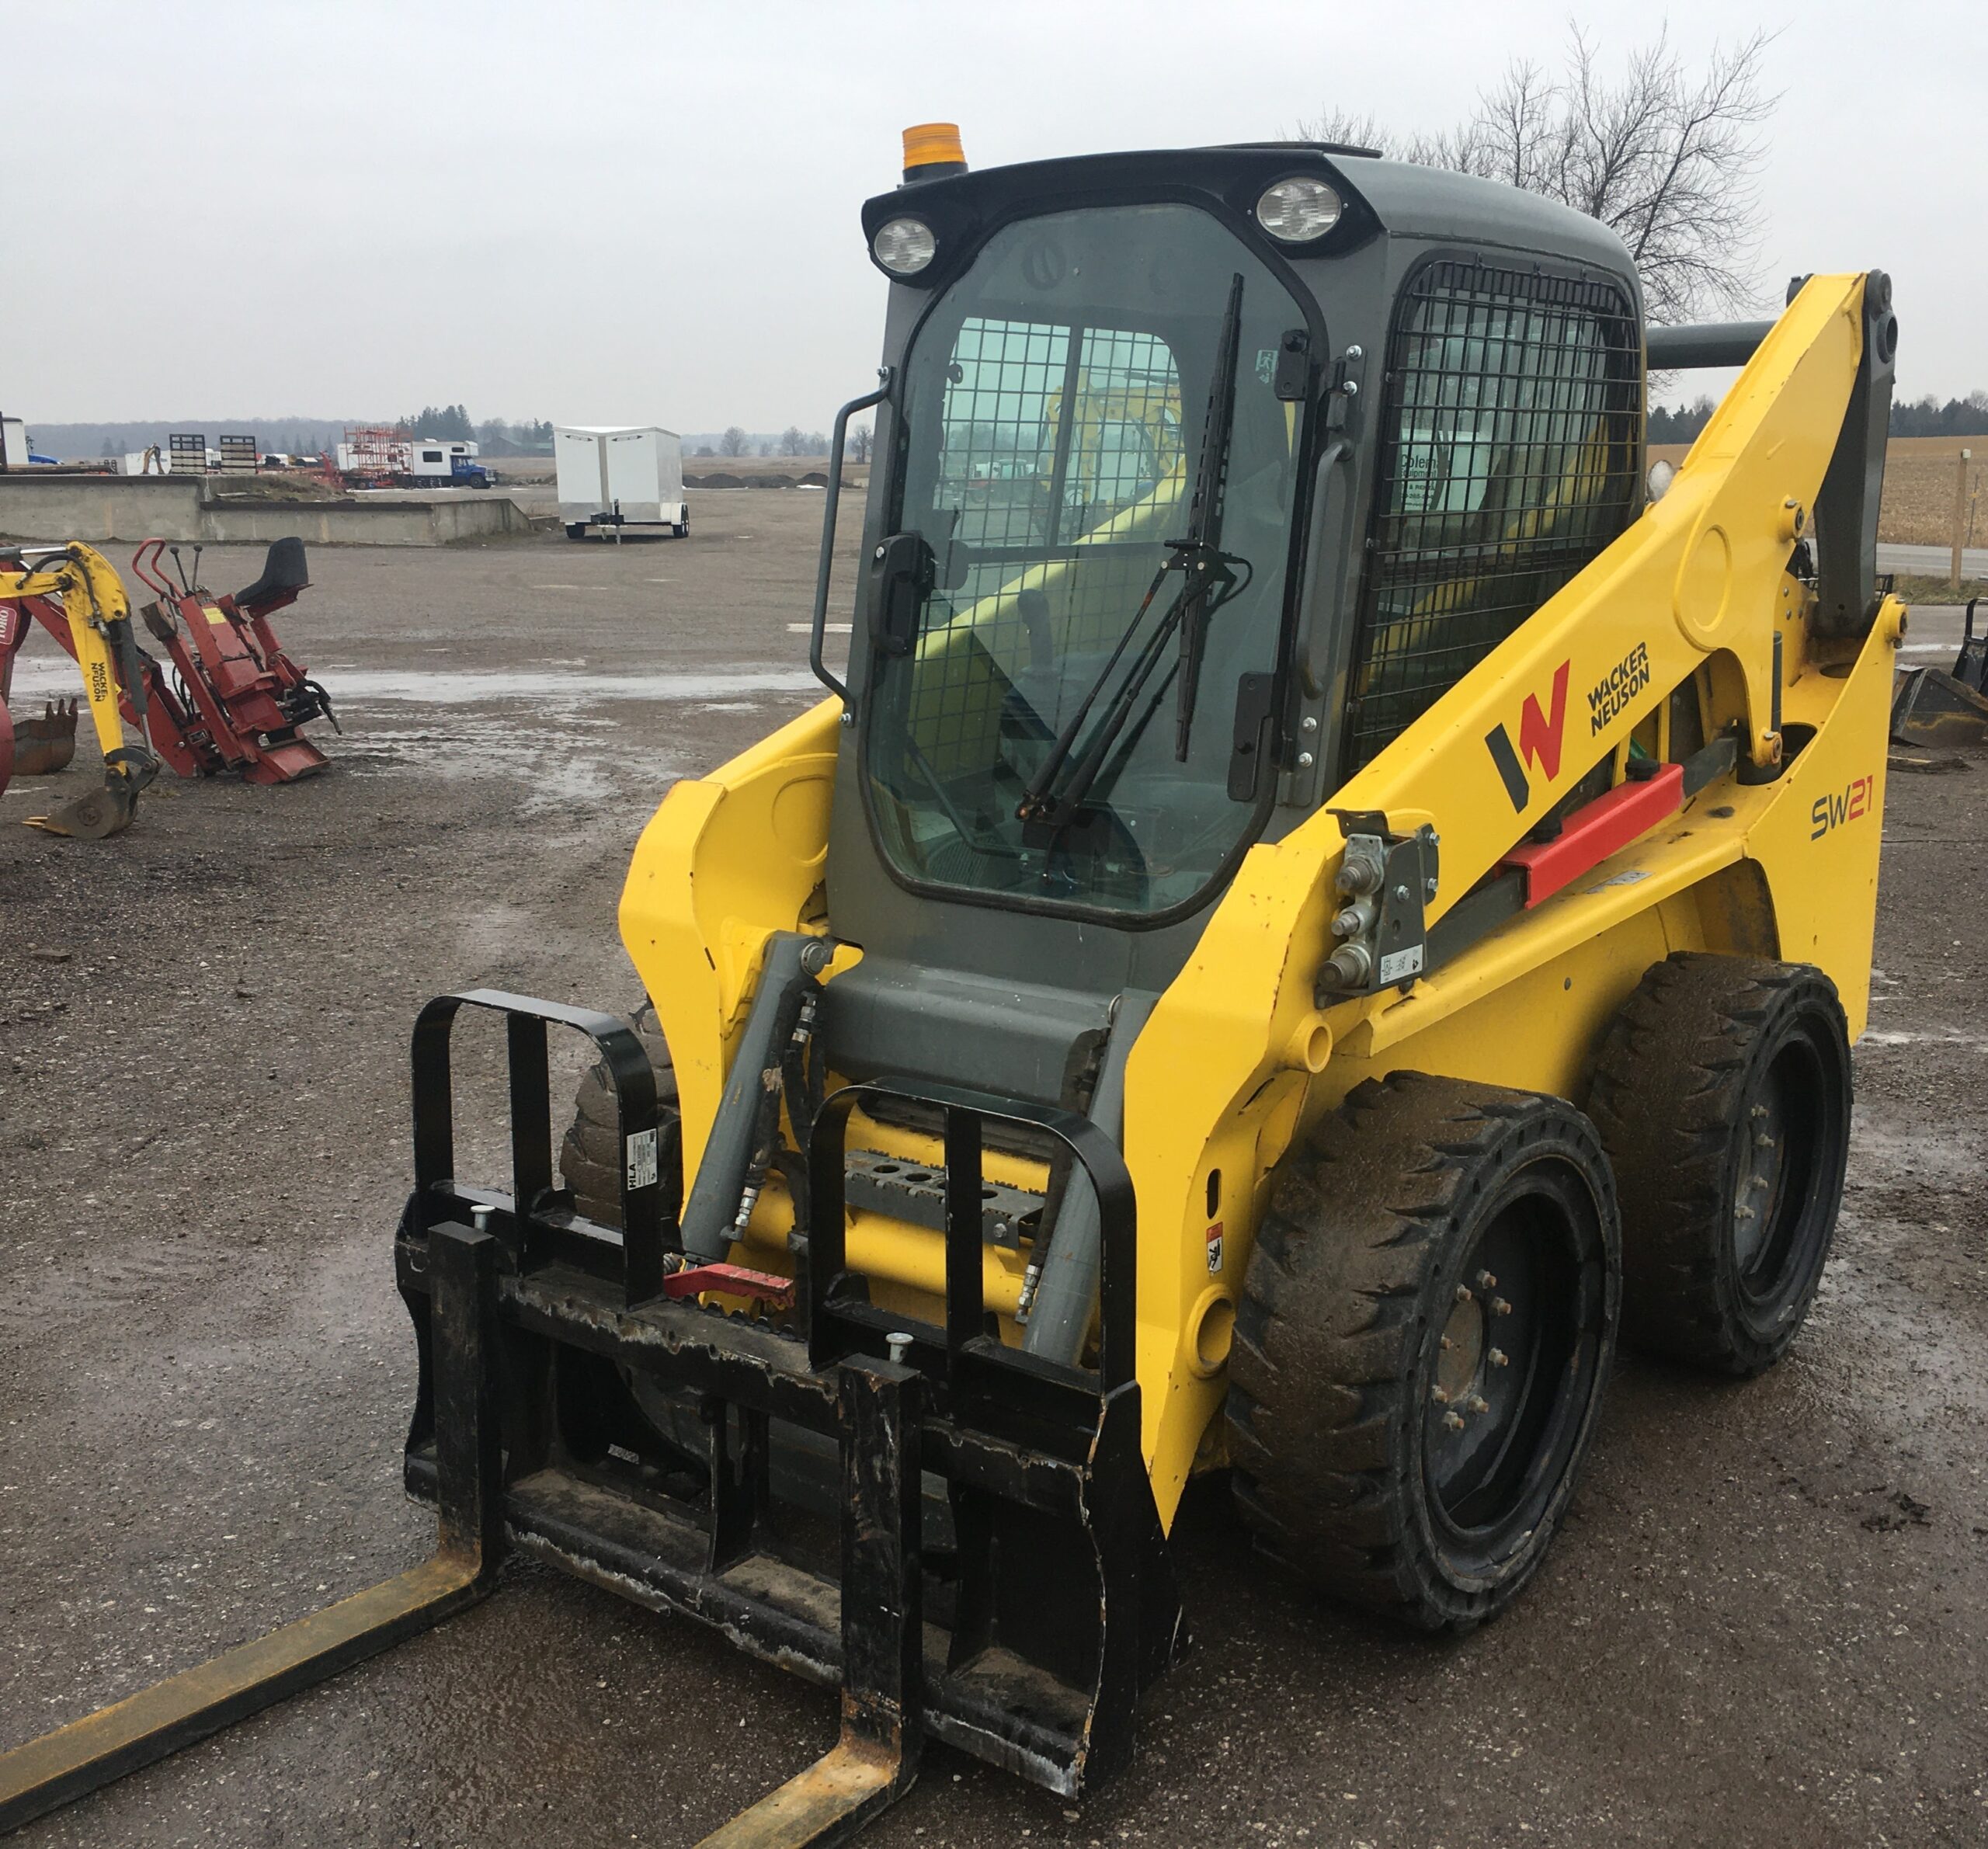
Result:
[{"x": 1210, "y": 582}]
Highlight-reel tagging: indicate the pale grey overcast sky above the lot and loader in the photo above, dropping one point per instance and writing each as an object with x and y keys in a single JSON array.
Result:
[{"x": 649, "y": 212}]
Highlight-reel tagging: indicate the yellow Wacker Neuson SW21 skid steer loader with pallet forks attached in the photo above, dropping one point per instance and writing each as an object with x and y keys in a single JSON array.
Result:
[{"x": 1269, "y": 959}]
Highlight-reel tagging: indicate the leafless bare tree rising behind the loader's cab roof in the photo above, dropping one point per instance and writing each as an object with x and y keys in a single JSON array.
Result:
[{"x": 1667, "y": 158}]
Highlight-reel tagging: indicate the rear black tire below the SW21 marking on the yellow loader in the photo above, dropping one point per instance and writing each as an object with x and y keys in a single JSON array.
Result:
[{"x": 1725, "y": 1236}]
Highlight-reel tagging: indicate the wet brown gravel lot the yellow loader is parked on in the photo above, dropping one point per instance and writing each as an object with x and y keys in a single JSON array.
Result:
[{"x": 1766, "y": 1621}]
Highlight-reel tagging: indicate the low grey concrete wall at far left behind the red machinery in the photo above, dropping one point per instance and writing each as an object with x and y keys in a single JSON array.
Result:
[{"x": 200, "y": 510}]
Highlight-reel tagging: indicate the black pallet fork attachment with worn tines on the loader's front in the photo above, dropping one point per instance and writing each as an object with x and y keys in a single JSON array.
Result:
[{"x": 1057, "y": 1599}]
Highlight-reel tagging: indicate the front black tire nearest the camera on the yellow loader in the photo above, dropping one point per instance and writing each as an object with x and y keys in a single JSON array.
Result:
[{"x": 1385, "y": 1446}]
